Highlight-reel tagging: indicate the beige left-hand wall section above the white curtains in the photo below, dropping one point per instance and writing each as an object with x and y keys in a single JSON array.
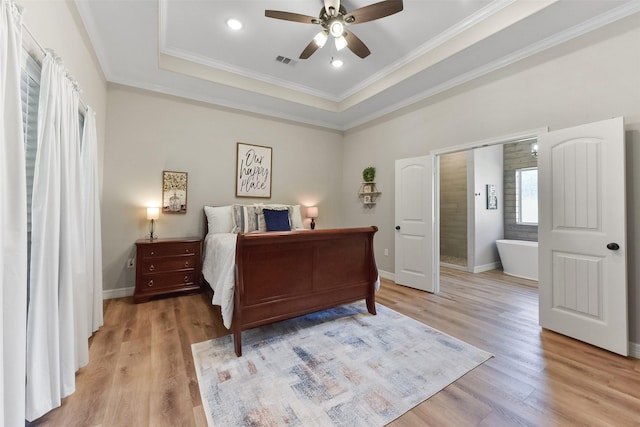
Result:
[{"x": 57, "y": 25}]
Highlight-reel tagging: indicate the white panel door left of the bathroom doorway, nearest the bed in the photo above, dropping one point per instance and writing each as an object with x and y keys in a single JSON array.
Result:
[{"x": 414, "y": 242}]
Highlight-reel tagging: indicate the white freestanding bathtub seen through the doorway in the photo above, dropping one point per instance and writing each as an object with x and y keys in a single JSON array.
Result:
[{"x": 519, "y": 258}]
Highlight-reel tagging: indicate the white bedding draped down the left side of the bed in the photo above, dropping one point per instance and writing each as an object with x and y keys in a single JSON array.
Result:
[{"x": 218, "y": 268}]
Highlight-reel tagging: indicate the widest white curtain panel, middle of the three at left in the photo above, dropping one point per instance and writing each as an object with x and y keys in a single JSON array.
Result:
[{"x": 57, "y": 315}]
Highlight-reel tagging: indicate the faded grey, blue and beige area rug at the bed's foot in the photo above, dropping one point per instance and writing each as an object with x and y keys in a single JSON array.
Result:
[{"x": 338, "y": 367}]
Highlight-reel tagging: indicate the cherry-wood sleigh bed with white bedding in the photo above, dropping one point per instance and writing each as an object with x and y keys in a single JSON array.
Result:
[{"x": 261, "y": 277}]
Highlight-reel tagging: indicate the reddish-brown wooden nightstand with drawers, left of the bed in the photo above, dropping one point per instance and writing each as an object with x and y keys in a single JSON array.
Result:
[{"x": 167, "y": 266}]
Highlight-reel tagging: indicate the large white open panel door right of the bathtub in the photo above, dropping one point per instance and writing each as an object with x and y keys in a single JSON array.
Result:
[{"x": 582, "y": 234}]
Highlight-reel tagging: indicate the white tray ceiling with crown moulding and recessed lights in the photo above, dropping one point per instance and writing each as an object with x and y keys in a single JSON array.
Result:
[{"x": 184, "y": 48}]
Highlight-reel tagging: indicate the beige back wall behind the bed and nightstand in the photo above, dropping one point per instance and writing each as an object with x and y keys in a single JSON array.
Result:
[{"x": 149, "y": 133}]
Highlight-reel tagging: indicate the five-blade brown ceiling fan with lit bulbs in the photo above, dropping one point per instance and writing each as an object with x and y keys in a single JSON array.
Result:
[{"x": 334, "y": 19}]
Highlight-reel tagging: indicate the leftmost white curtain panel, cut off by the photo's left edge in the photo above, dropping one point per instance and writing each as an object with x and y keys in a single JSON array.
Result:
[{"x": 13, "y": 222}]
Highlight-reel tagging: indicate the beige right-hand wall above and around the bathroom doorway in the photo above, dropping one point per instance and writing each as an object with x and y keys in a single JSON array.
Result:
[{"x": 592, "y": 78}]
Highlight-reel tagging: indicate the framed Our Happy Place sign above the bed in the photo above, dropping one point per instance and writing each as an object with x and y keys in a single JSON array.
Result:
[{"x": 253, "y": 171}]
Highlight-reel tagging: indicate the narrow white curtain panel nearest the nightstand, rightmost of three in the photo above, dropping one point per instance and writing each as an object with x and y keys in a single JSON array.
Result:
[{"x": 93, "y": 230}]
